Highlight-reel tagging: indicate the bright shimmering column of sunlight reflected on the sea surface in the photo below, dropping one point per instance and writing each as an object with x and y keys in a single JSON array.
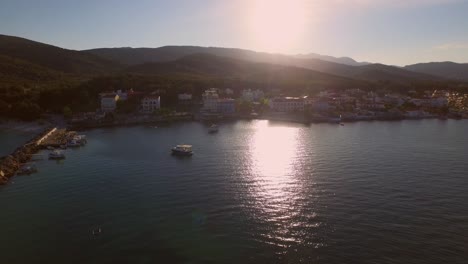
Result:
[{"x": 274, "y": 158}]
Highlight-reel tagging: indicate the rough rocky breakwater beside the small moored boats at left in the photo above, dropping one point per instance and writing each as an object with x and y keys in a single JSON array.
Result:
[{"x": 10, "y": 164}]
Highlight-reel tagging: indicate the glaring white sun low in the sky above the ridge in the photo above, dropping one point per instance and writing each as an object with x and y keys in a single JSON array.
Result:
[{"x": 276, "y": 25}]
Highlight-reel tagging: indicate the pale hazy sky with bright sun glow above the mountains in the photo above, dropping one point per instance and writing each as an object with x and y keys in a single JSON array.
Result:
[{"x": 393, "y": 32}]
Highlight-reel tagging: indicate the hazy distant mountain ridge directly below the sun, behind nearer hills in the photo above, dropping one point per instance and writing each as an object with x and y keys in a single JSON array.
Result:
[{"x": 133, "y": 56}]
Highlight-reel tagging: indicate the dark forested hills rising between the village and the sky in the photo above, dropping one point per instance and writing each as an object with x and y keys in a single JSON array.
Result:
[{"x": 38, "y": 78}]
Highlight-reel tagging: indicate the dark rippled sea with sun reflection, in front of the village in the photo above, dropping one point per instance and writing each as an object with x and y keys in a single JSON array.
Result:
[{"x": 256, "y": 192}]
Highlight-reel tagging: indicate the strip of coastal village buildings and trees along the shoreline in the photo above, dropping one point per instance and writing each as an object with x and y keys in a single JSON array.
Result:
[{"x": 350, "y": 104}]
